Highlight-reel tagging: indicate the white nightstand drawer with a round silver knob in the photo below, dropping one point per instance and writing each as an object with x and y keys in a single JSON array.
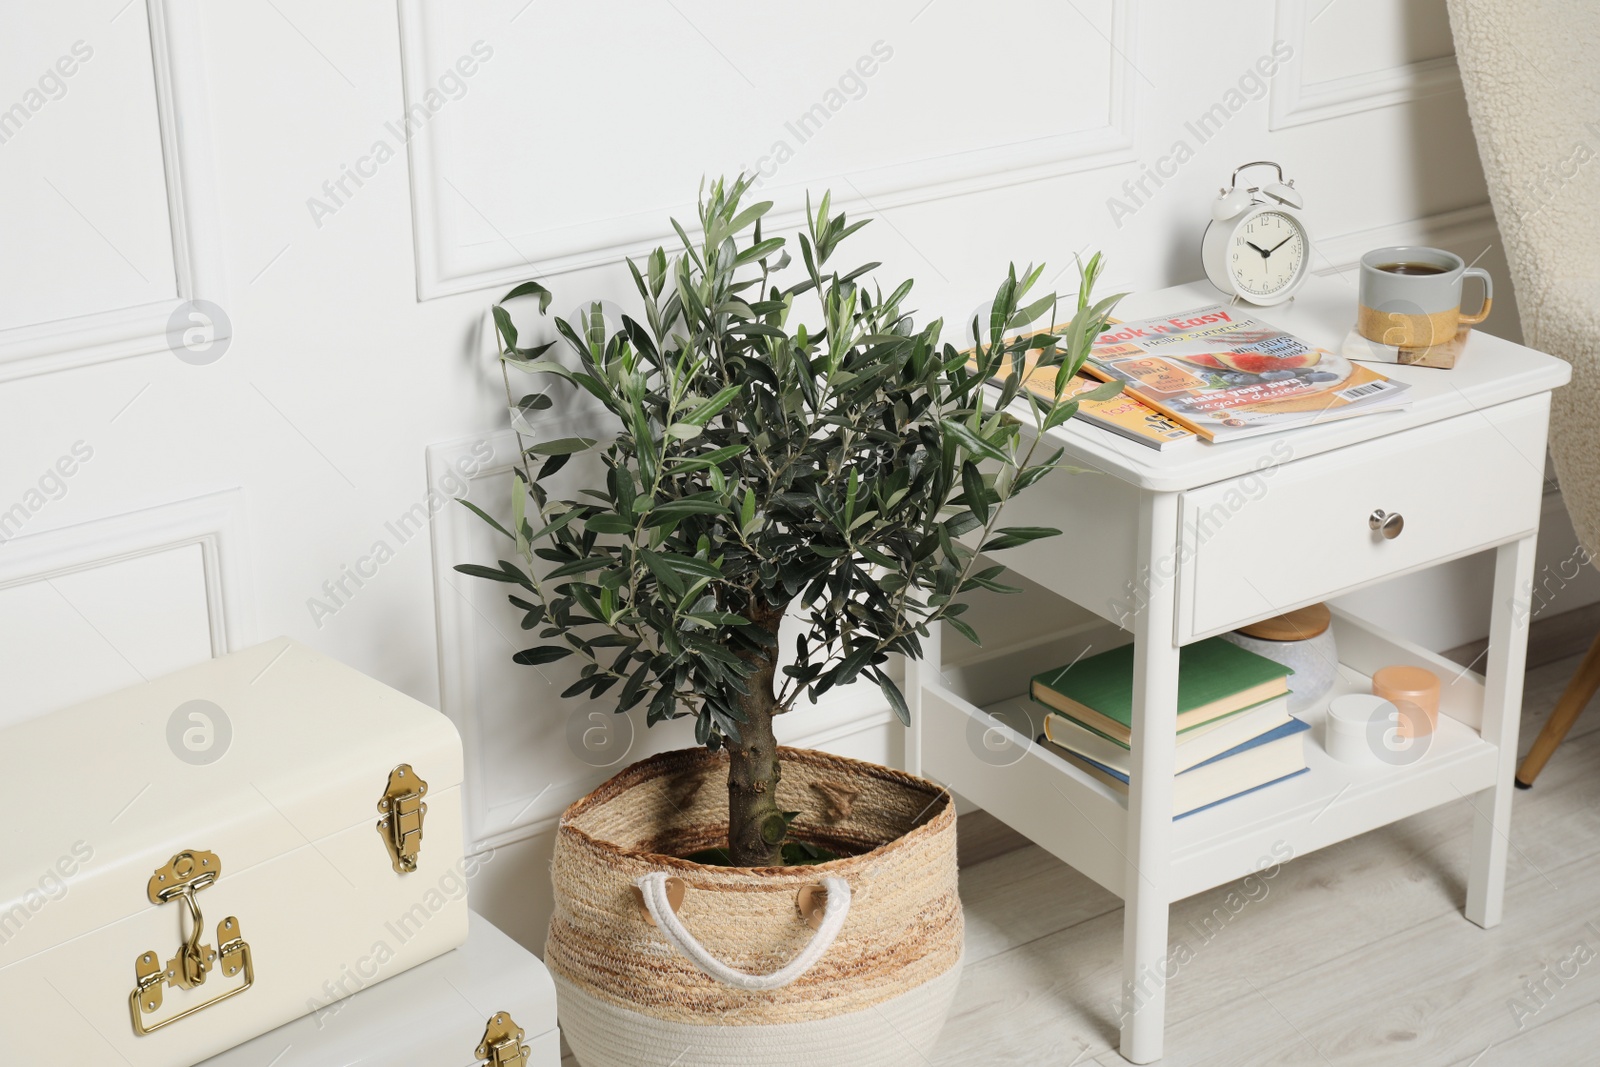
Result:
[{"x": 1306, "y": 530}]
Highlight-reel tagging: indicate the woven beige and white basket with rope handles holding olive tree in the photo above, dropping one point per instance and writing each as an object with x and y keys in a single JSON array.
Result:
[{"x": 734, "y": 973}]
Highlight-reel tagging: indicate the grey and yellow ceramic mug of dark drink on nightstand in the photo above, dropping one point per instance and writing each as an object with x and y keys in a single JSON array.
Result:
[{"x": 1412, "y": 297}]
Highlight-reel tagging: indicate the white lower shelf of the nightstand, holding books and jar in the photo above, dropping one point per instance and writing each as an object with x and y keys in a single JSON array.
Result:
[{"x": 1084, "y": 823}]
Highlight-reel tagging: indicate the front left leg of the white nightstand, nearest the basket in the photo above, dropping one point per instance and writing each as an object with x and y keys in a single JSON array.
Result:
[{"x": 1146, "y": 881}]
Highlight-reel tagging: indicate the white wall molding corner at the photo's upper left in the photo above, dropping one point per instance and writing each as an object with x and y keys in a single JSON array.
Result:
[{"x": 182, "y": 103}]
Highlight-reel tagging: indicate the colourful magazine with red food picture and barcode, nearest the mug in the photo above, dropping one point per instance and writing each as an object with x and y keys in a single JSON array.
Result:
[{"x": 1226, "y": 375}]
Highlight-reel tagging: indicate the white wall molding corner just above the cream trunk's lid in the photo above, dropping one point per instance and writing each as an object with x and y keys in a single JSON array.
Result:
[{"x": 215, "y": 522}]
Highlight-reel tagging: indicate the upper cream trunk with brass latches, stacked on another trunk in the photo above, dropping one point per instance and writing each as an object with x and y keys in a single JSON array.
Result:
[{"x": 258, "y": 794}]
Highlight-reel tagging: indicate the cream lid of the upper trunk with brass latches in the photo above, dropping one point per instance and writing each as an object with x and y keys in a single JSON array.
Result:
[{"x": 98, "y": 797}]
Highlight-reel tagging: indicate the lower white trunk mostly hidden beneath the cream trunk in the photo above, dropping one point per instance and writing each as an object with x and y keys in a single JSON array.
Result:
[{"x": 433, "y": 1017}]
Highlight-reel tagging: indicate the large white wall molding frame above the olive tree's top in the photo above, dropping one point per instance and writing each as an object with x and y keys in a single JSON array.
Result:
[{"x": 894, "y": 186}]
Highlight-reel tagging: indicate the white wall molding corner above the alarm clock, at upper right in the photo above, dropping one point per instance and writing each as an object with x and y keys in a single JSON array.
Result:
[{"x": 1297, "y": 102}]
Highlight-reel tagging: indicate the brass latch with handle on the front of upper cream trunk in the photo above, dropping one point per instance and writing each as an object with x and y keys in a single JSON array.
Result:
[{"x": 182, "y": 879}]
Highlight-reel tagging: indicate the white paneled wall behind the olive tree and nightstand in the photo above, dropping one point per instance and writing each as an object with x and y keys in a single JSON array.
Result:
[{"x": 351, "y": 185}]
